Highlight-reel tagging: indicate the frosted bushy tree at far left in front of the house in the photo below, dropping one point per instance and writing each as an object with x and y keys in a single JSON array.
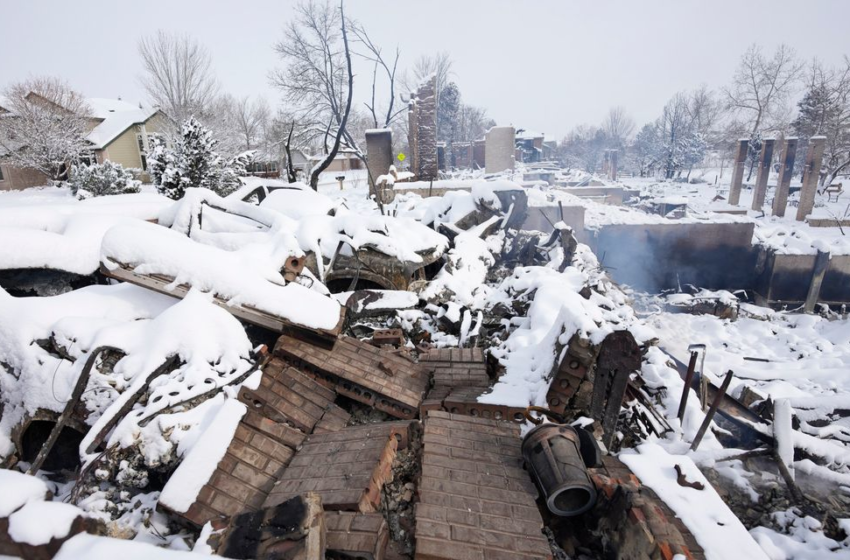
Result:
[{"x": 45, "y": 128}]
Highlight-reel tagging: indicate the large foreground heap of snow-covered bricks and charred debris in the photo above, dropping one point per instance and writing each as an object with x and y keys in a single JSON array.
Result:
[{"x": 300, "y": 380}]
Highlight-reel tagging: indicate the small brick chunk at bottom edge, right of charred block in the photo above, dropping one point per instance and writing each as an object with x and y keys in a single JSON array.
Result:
[{"x": 356, "y": 535}]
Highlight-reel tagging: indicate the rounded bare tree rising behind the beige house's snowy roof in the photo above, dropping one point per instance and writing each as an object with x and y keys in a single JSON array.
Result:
[{"x": 177, "y": 74}]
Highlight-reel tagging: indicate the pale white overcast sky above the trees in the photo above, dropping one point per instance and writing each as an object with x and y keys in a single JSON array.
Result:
[{"x": 543, "y": 65}]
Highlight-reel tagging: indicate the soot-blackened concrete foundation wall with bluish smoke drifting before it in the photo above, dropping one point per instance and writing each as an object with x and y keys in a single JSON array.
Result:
[{"x": 655, "y": 257}]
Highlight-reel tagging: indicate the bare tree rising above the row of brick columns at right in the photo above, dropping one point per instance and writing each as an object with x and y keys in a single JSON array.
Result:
[{"x": 761, "y": 86}]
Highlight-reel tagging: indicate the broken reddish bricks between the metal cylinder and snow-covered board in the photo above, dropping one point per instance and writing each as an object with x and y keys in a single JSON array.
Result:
[{"x": 637, "y": 522}]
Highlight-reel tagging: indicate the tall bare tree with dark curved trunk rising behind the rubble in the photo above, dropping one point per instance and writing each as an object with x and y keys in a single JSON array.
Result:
[{"x": 317, "y": 78}]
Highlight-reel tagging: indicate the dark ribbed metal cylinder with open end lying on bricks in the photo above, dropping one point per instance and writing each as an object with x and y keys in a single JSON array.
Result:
[{"x": 553, "y": 454}]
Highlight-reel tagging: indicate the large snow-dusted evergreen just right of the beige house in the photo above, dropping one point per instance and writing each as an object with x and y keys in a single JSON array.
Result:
[{"x": 194, "y": 163}]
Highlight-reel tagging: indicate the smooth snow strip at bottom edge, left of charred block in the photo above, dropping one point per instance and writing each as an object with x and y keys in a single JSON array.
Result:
[{"x": 91, "y": 547}]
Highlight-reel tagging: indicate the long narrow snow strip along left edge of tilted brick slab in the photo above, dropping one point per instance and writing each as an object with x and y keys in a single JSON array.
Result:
[{"x": 197, "y": 467}]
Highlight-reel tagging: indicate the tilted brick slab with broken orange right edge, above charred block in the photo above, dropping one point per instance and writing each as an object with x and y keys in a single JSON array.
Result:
[{"x": 347, "y": 468}]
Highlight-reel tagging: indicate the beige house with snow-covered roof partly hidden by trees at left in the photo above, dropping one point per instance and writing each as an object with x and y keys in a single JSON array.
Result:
[{"x": 119, "y": 132}]
